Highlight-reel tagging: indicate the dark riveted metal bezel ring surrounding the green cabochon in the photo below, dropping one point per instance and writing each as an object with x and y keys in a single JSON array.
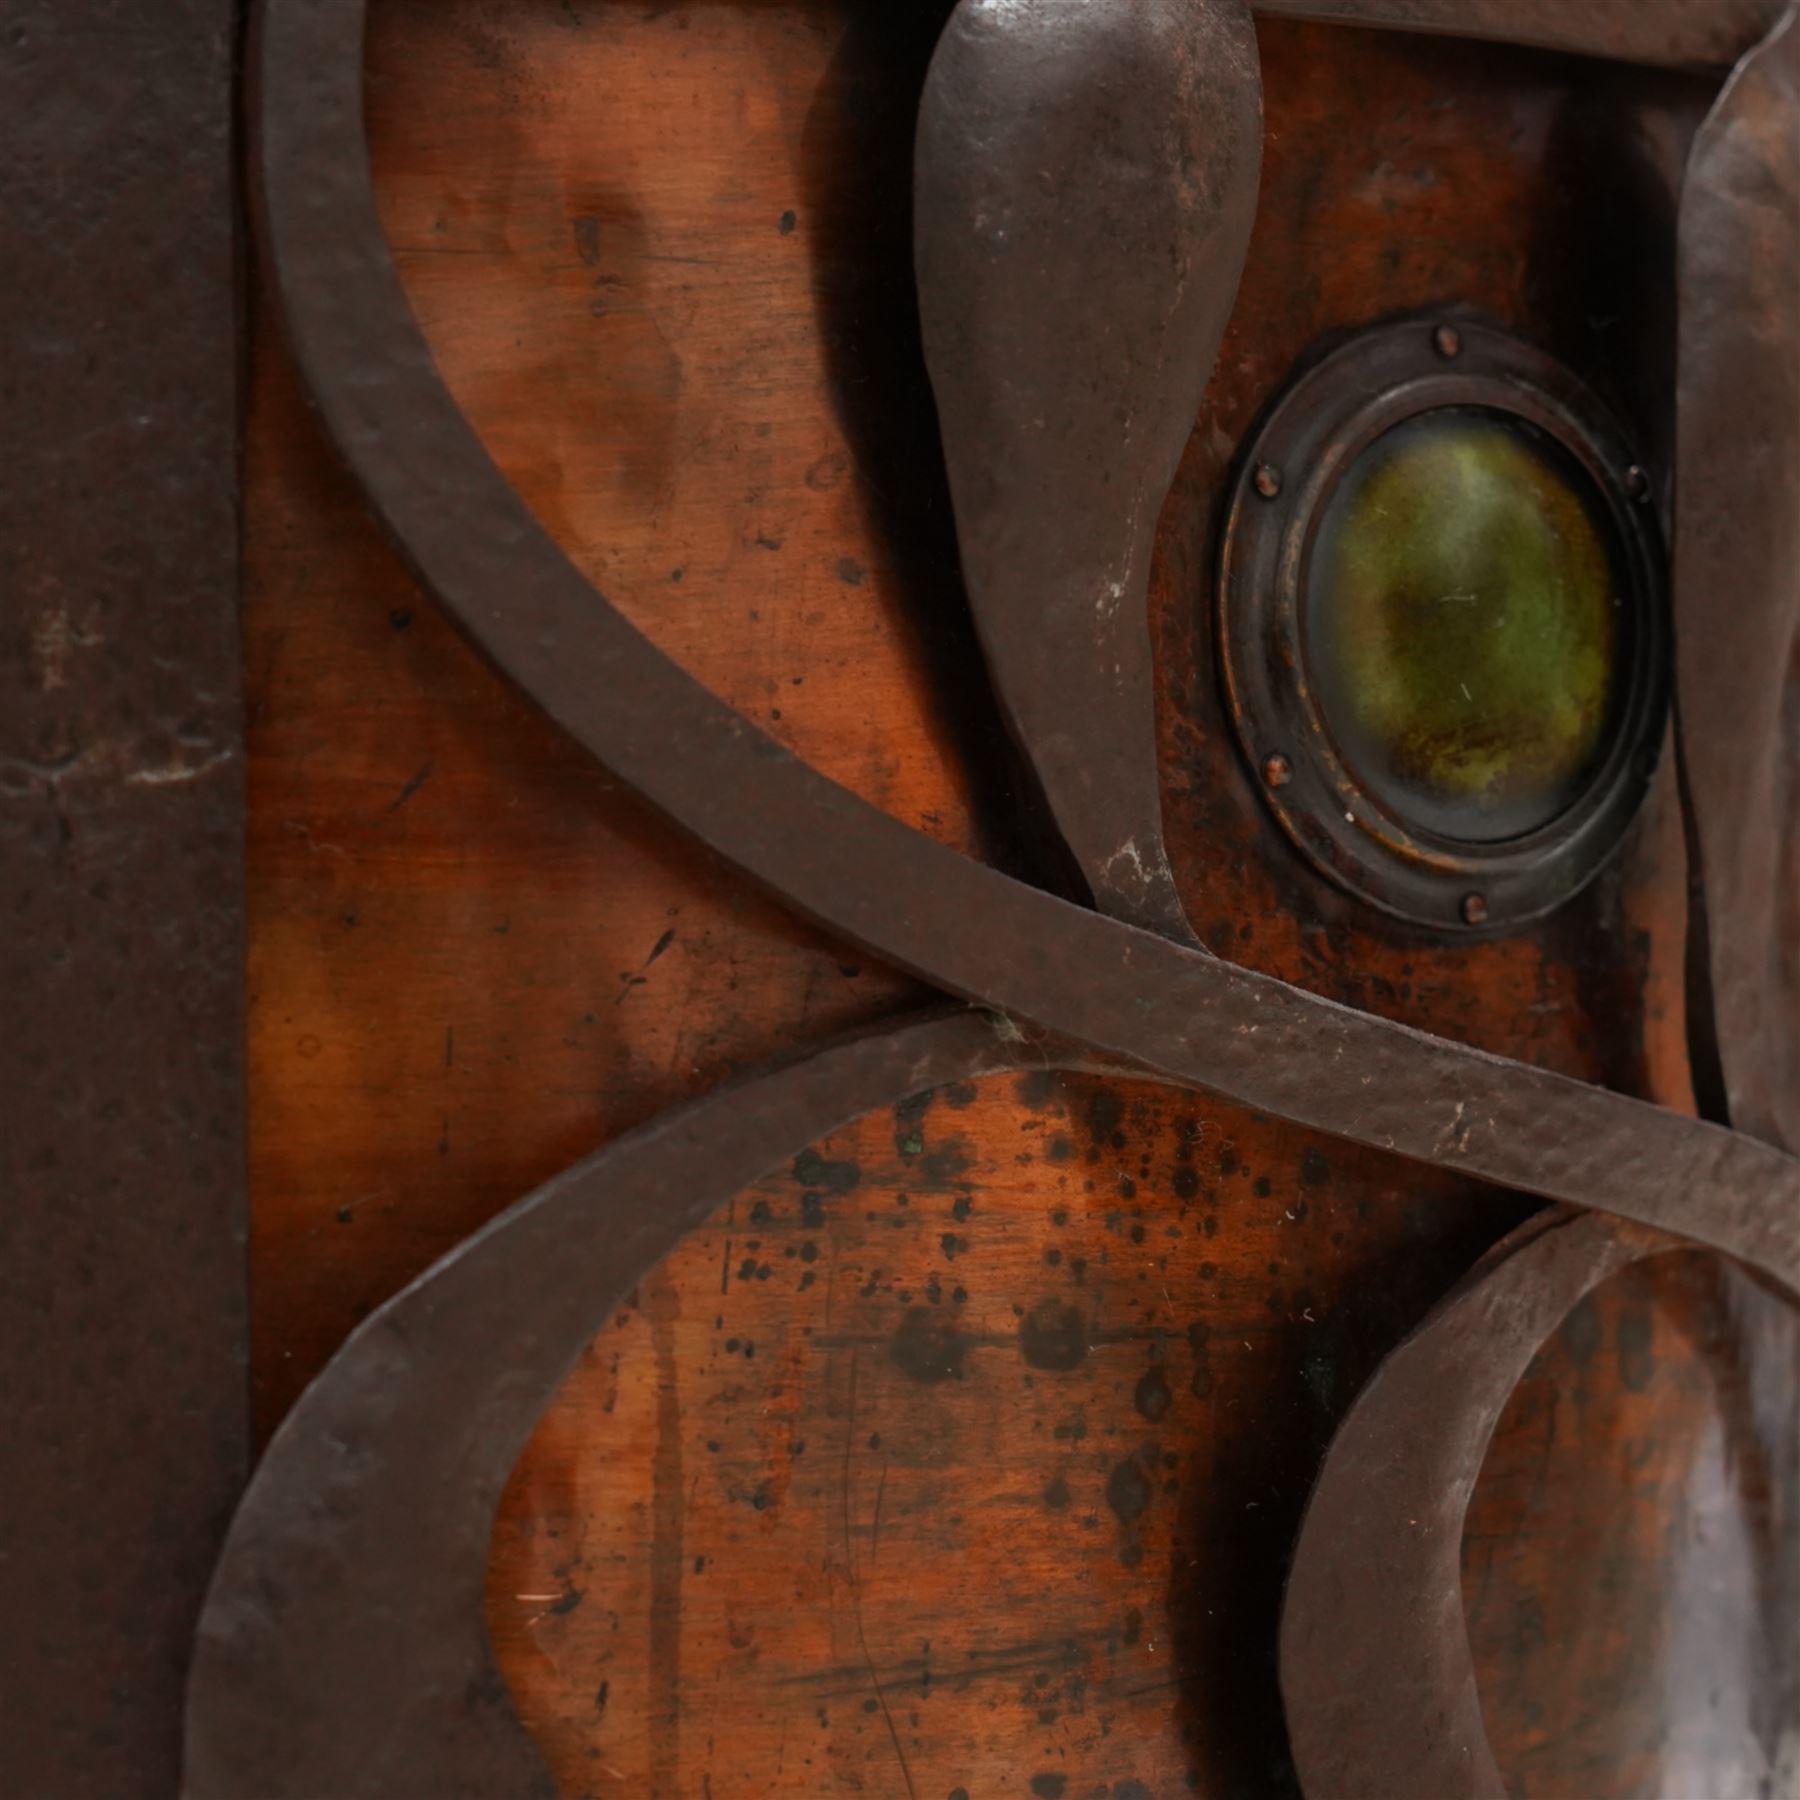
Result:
[{"x": 1308, "y": 445}]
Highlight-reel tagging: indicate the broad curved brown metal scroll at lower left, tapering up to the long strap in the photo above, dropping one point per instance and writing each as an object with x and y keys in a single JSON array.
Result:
[{"x": 345, "y": 1651}]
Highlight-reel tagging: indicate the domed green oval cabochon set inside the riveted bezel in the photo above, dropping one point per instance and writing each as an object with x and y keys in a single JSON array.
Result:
[{"x": 1464, "y": 624}]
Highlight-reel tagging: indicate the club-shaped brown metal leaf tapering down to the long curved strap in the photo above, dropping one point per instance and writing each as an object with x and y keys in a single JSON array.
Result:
[{"x": 1086, "y": 186}]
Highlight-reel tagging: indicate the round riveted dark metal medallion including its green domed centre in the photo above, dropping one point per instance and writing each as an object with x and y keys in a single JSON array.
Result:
[{"x": 1455, "y": 647}]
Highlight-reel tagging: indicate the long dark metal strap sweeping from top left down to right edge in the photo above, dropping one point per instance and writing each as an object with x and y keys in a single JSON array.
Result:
[{"x": 852, "y": 868}]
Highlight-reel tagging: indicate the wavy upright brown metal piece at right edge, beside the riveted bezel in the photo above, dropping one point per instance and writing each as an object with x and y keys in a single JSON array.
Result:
[{"x": 1738, "y": 577}]
